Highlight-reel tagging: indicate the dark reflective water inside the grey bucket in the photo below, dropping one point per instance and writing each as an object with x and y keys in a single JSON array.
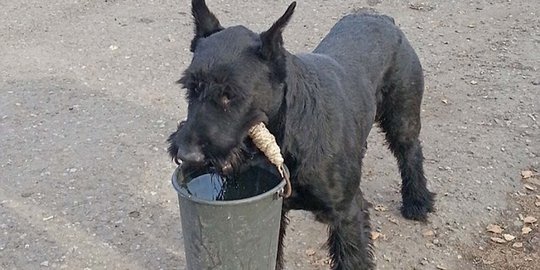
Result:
[{"x": 211, "y": 186}]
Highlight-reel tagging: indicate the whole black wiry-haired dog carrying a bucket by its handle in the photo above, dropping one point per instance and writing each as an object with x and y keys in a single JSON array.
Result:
[{"x": 320, "y": 106}]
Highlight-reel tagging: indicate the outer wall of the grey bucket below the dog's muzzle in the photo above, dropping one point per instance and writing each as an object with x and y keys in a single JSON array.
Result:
[{"x": 230, "y": 235}]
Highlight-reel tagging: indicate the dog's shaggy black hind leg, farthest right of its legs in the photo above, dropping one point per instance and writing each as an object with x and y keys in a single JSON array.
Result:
[{"x": 399, "y": 117}]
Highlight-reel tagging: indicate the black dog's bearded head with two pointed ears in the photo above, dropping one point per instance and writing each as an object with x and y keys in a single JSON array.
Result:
[{"x": 235, "y": 80}]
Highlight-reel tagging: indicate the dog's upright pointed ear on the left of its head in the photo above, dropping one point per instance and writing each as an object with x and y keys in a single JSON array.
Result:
[{"x": 206, "y": 22}]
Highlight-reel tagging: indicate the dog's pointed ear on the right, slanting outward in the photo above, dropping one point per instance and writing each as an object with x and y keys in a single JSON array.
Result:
[{"x": 272, "y": 40}]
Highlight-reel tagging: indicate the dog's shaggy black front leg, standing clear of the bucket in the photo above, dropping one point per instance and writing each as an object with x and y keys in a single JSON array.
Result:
[{"x": 349, "y": 240}]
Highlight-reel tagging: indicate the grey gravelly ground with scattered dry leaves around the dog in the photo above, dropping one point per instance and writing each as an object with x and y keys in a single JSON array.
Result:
[{"x": 88, "y": 98}]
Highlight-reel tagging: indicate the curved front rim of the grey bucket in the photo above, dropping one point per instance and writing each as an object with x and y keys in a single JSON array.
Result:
[{"x": 183, "y": 194}]
